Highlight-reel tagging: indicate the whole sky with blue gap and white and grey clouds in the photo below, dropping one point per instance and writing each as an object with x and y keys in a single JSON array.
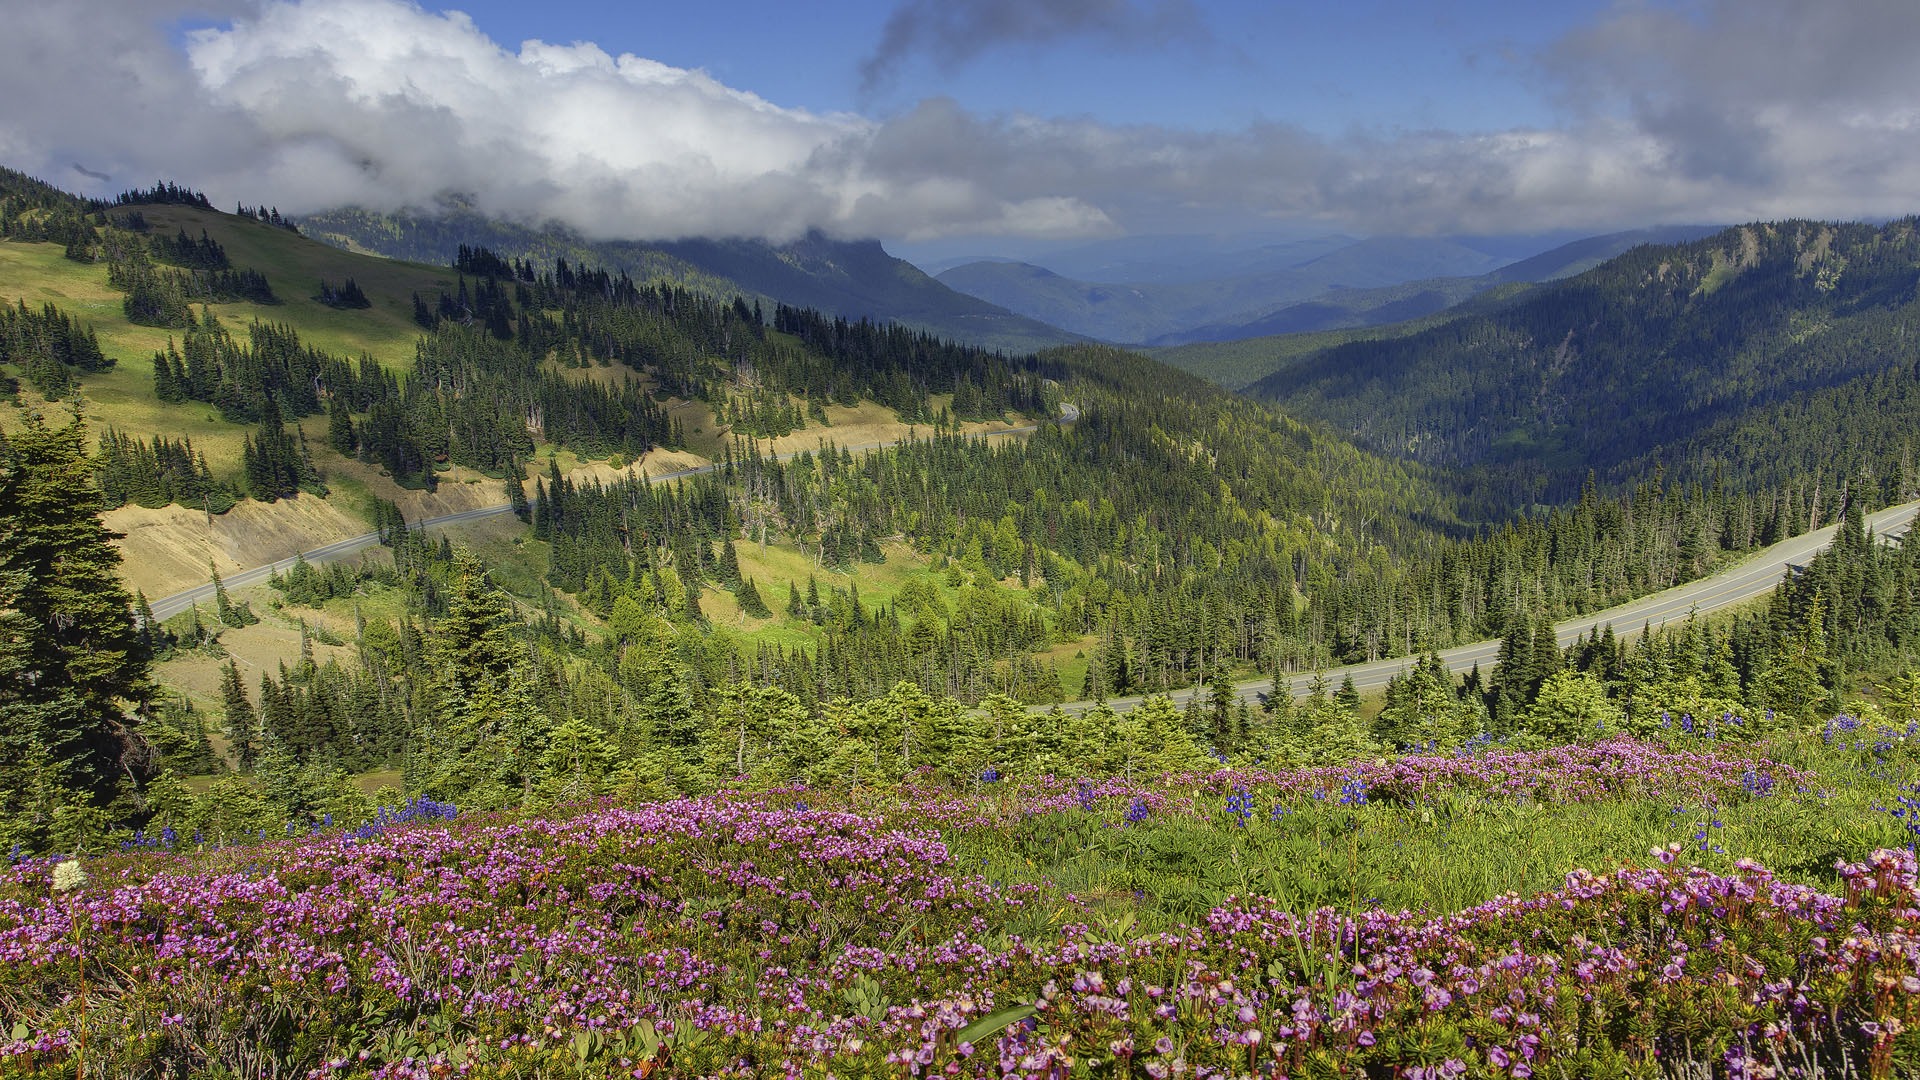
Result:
[{"x": 986, "y": 124}]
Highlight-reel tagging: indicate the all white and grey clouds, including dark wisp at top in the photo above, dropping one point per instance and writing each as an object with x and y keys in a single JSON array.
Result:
[{"x": 1706, "y": 112}]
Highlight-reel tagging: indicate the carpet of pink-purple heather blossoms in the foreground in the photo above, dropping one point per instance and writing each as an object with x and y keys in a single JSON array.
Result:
[{"x": 754, "y": 937}]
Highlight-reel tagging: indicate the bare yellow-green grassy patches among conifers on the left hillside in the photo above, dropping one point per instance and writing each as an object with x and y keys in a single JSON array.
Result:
[{"x": 172, "y": 551}]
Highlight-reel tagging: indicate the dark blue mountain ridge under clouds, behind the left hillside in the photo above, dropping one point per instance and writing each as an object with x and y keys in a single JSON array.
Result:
[{"x": 852, "y": 280}]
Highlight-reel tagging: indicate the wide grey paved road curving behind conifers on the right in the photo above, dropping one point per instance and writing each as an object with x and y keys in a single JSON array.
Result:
[{"x": 1748, "y": 579}]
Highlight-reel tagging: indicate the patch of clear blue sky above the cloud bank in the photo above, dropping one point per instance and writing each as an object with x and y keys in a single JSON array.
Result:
[{"x": 1330, "y": 68}]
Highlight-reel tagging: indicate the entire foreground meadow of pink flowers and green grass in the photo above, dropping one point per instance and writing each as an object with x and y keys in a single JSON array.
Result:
[{"x": 1608, "y": 910}]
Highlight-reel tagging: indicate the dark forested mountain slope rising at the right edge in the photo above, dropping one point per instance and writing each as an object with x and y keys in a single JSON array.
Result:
[{"x": 1668, "y": 353}]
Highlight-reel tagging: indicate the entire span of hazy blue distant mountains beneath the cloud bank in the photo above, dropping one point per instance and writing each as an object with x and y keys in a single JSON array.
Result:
[{"x": 1176, "y": 289}]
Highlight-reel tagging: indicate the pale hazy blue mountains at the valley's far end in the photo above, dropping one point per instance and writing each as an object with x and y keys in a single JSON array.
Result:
[{"x": 1276, "y": 289}]
